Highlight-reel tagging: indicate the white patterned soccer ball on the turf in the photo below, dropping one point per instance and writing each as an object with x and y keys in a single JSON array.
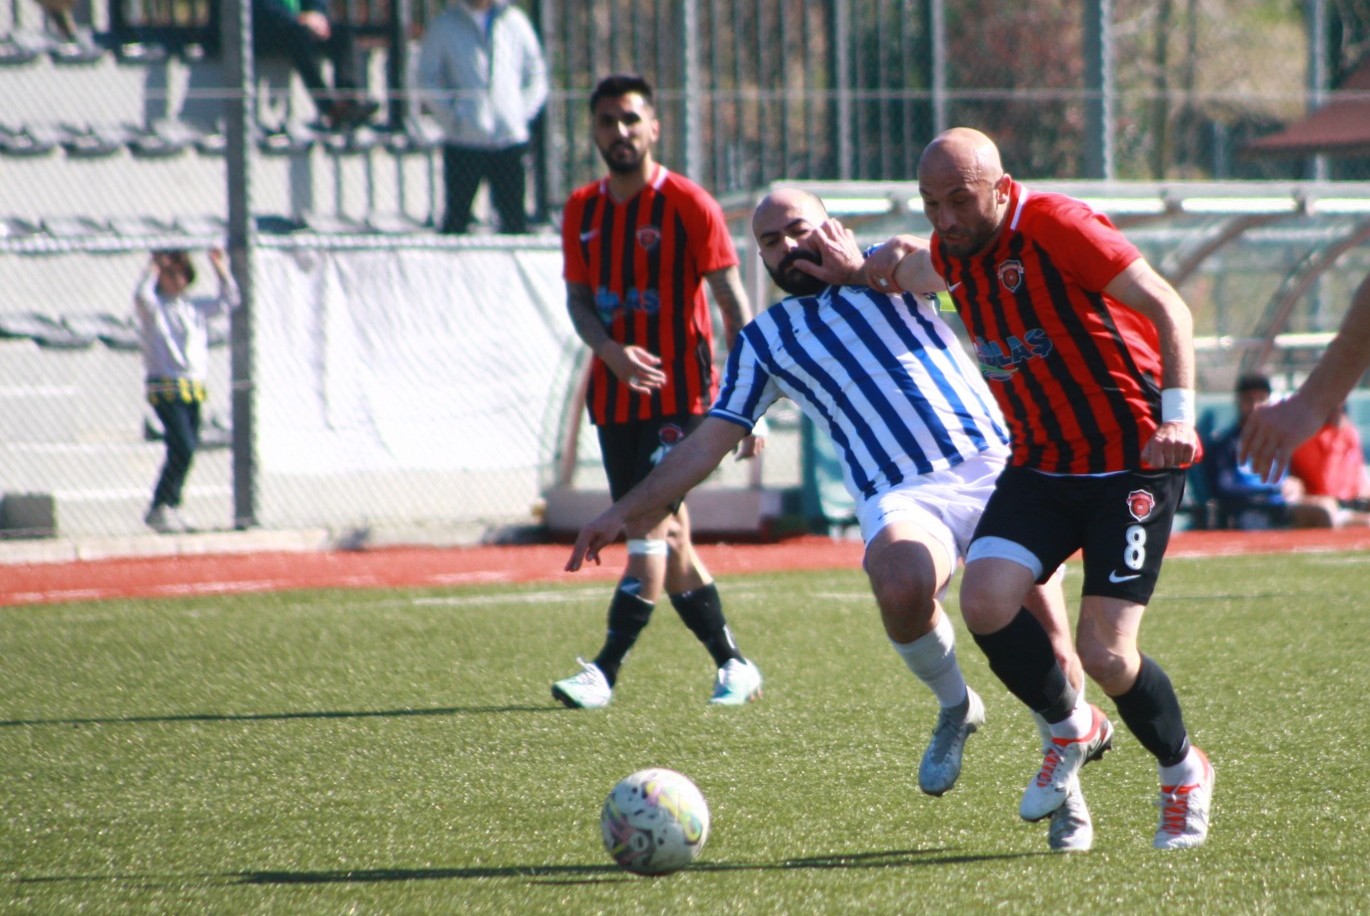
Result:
[{"x": 654, "y": 822}]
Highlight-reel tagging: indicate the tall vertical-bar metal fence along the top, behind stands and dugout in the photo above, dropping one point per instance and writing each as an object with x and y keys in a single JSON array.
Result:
[{"x": 850, "y": 90}]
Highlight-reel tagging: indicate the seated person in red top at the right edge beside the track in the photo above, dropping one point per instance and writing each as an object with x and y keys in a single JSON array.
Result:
[{"x": 1331, "y": 472}]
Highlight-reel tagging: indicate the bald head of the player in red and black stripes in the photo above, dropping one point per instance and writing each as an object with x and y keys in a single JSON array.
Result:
[{"x": 965, "y": 190}]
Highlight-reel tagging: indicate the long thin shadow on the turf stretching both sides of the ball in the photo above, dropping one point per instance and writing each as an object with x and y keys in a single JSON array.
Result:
[{"x": 583, "y": 874}]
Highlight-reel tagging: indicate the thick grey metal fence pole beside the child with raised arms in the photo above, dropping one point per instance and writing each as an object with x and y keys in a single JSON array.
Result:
[{"x": 240, "y": 107}]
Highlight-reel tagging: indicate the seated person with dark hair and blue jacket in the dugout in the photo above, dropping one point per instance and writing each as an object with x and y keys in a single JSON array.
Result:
[{"x": 1245, "y": 502}]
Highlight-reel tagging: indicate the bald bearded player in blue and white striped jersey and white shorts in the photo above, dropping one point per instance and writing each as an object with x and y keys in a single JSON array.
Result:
[{"x": 921, "y": 446}]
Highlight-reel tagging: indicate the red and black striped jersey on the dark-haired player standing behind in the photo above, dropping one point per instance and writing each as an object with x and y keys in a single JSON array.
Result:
[{"x": 645, "y": 259}]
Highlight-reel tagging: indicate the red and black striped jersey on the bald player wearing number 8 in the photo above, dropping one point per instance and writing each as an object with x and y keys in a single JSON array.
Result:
[{"x": 1078, "y": 374}]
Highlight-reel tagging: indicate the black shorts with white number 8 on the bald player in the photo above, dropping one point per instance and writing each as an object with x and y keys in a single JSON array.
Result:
[{"x": 1121, "y": 524}]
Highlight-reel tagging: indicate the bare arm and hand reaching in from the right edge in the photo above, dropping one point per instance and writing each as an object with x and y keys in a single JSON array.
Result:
[{"x": 1273, "y": 432}]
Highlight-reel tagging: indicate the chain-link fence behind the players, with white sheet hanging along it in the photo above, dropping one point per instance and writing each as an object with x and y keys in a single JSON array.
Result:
[{"x": 424, "y": 384}]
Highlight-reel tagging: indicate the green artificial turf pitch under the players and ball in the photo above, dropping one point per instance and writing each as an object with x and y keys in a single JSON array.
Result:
[{"x": 398, "y": 752}]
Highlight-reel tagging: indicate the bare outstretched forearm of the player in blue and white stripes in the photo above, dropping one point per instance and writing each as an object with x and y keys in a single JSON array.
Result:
[{"x": 647, "y": 503}]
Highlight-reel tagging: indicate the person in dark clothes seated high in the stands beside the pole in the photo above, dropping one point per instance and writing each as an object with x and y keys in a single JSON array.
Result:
[{"x": 302, "y": 31}]
